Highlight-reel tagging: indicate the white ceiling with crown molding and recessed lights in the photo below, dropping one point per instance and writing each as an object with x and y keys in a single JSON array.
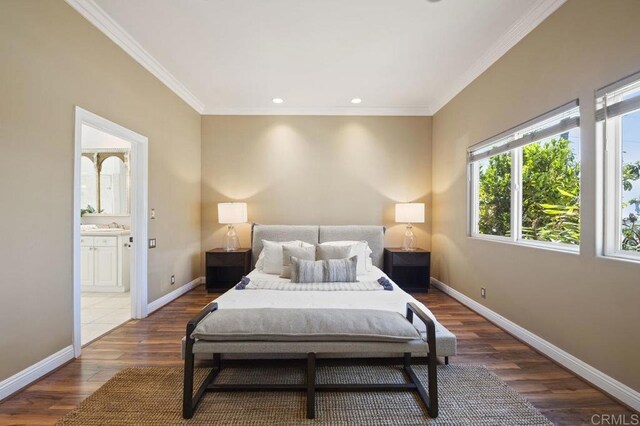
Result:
[{"x": 401, "y": 57}]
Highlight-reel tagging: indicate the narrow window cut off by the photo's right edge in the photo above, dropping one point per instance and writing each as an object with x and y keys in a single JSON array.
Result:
[{"x": 618, "y": 121}]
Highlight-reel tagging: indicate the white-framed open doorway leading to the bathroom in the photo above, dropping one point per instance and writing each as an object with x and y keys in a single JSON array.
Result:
[{"x": 110, "y": 227}]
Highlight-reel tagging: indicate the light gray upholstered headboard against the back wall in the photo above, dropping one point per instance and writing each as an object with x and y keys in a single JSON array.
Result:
[{"x": 314, "y": 234}]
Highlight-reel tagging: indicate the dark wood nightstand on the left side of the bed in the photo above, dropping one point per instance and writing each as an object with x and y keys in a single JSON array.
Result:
[{"x": 226, "y": 268}]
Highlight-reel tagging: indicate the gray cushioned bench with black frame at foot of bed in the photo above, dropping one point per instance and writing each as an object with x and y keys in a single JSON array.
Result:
[{"x": 310, "y": 332}]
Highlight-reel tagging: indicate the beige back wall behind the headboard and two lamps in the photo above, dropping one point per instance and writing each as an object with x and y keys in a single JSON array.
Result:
[{"x": 315, "y": 170}]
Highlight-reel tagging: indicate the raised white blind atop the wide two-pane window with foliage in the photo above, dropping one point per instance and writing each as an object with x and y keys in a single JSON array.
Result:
[{"x": 554, "y": 122}]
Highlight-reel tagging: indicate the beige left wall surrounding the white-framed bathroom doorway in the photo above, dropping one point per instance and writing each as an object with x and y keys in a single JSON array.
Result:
[{"x": 52, "y": 60}]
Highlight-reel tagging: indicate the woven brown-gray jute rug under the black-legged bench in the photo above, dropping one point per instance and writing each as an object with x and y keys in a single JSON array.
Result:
[{"x": 469, "y": 395}]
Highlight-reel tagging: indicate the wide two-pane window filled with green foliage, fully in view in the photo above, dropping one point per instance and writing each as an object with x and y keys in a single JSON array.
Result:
[{"x": 525, "y": 183}]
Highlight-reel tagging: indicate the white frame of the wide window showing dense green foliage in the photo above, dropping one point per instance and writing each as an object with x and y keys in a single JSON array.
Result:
[{"x": 473, "y": 183}]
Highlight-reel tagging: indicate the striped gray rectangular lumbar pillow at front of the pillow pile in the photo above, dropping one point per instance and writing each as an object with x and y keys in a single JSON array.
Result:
[{"x": 324, "y": 271}]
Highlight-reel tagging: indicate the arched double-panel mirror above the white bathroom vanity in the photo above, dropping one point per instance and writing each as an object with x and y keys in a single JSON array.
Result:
[{"x": 105, "y": 183}]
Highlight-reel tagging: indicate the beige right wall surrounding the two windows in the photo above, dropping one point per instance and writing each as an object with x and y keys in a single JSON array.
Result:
[{"x": 586, "y": 305}]
